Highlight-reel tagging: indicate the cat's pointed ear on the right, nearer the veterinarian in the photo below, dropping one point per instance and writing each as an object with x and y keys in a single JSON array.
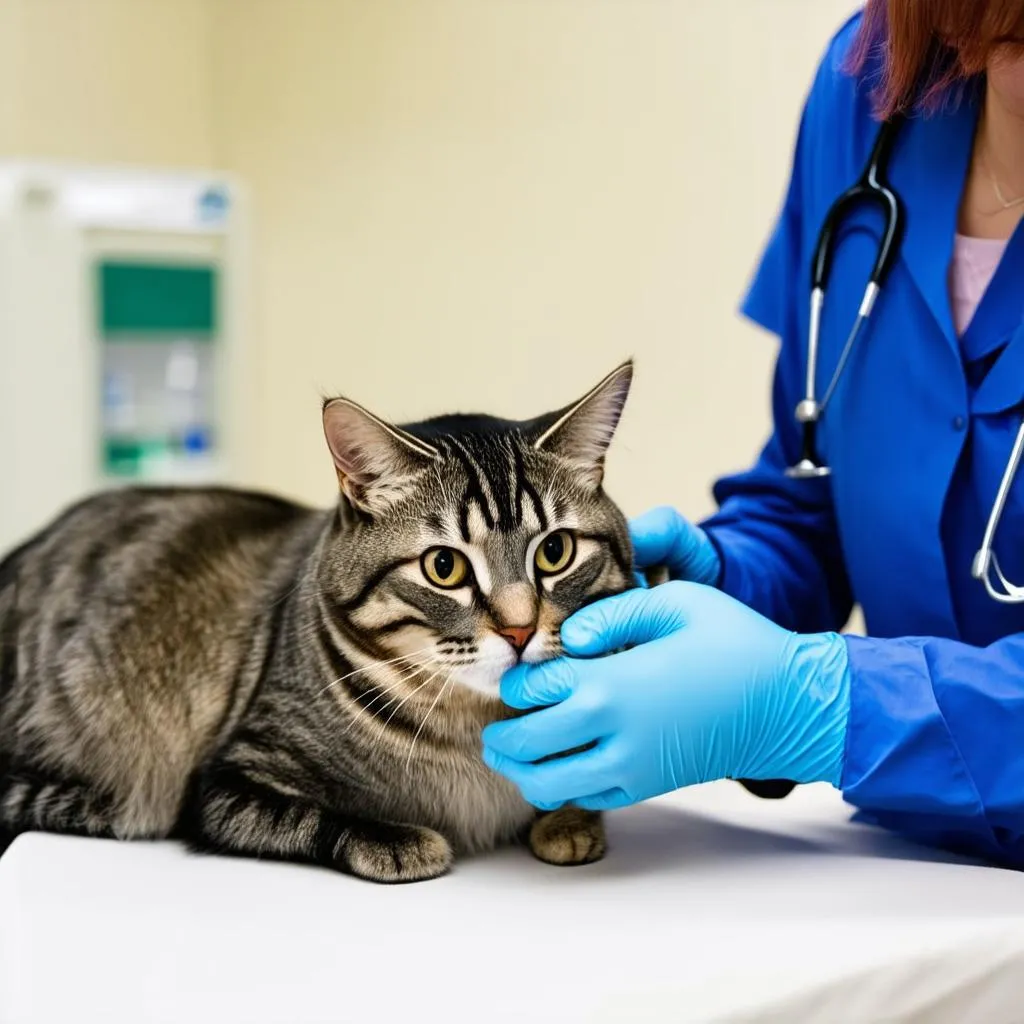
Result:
[{"x": 583, "y": 432}]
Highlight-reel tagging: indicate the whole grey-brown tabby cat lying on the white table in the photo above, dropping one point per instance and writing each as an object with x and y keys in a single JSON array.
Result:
[{"x": 263, "y": 679}]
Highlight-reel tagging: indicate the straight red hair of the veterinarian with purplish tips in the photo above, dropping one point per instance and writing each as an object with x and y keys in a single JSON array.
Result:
[{"x": 922, "y": 49}]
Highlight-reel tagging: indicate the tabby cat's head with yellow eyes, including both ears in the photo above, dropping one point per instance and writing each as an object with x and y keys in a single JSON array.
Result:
[{"x": 464, "y": 542}]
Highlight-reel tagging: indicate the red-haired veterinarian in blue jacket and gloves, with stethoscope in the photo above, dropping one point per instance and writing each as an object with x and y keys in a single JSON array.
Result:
[{"x": 890, "y": 481}]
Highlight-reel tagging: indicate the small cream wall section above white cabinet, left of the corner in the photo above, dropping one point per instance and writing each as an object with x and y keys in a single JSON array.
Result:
[{"x": 118, "y": 81}]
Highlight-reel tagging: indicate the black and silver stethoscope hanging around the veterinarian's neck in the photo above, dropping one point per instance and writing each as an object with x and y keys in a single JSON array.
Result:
[{"x": 873, "y": 188}]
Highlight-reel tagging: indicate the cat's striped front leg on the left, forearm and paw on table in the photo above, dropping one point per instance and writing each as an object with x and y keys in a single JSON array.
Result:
[{"x": 236, "y": 815}]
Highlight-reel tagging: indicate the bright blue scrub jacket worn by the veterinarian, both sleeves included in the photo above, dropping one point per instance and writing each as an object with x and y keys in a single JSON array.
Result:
[{"x": 918, "y": 435}]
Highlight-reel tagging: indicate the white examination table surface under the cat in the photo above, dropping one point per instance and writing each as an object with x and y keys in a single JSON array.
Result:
[{"x": 711, "y": 906}]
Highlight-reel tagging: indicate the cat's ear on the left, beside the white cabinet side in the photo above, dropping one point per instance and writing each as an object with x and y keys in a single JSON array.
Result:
[{"x": 375, "y": 461}]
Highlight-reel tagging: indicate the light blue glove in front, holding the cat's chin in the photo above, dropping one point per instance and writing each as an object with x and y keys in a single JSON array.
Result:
[{"x": 712, "y": 691}]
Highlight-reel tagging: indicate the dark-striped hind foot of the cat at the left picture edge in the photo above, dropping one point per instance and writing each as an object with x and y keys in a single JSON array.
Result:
[{"x": 33, "y": 800}]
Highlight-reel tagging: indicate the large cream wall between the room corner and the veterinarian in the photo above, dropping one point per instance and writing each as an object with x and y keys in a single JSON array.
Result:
[{"x": 490, "y": 203}]
